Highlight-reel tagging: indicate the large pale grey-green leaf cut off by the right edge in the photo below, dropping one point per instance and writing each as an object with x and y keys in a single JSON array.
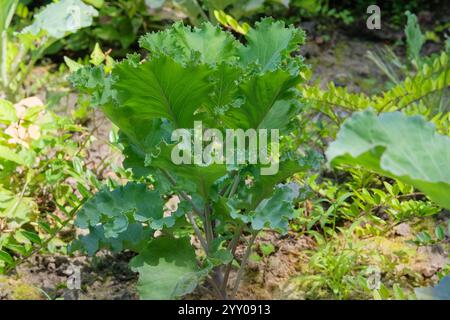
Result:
[{"x": 401, "y": 147}]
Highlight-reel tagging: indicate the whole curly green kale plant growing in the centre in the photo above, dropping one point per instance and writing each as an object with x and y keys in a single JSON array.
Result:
[{"x": 189, "y": 76}]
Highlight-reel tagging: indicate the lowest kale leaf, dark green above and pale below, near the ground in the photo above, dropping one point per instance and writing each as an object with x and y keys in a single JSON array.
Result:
[{"x": 167, "y": 269}]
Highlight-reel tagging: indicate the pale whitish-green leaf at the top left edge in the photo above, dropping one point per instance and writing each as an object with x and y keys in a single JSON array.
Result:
[{"x": 63, "y": 17}]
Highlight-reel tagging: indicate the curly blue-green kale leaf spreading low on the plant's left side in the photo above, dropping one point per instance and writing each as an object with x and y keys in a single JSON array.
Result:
[{"x": 125, "y": 218}]
